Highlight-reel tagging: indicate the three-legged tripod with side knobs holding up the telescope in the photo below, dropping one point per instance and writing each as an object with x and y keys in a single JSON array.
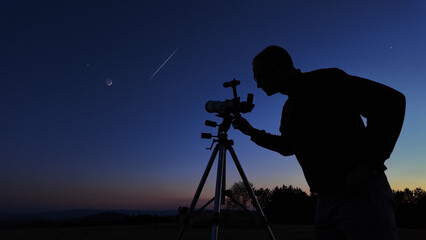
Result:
[{"x": 223, "y": 145}]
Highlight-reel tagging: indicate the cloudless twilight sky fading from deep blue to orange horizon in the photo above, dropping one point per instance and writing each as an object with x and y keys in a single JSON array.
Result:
[{"x": 68, "y": 140}]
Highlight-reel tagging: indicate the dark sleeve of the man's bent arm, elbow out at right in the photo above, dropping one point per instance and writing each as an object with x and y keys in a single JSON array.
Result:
[{"x": 384, "y": 109}]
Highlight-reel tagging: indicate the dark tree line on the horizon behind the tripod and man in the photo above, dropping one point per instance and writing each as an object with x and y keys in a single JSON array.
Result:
[{"x": 291, "y": 205}]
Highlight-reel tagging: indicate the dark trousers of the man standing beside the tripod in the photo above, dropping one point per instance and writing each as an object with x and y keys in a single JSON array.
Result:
[{"x": 369, "y": 214}]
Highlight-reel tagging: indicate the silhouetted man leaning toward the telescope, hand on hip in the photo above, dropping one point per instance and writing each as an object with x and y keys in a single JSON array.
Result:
[{"x": 342, "y": 159}]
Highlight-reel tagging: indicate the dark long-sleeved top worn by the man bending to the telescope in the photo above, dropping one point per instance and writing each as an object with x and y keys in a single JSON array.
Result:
[{"x": 321, "y": 125}]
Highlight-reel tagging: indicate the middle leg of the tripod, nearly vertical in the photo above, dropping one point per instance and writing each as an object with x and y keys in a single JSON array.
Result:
[{"x": 219, "y": 191}]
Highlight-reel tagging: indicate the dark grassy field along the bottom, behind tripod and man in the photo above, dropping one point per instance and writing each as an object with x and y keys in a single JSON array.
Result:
[{"x": 170, "y": 231}]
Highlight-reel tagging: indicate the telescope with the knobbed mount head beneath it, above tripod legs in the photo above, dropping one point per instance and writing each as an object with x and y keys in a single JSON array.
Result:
[{"x": 228, "y": 110}]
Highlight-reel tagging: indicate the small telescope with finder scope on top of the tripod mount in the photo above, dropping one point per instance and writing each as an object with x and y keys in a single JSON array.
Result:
[{"x": 231, "y": 106}]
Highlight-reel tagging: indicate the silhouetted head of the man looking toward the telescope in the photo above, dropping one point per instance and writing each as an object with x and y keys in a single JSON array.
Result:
[{"x": 272, "y": 69}]
